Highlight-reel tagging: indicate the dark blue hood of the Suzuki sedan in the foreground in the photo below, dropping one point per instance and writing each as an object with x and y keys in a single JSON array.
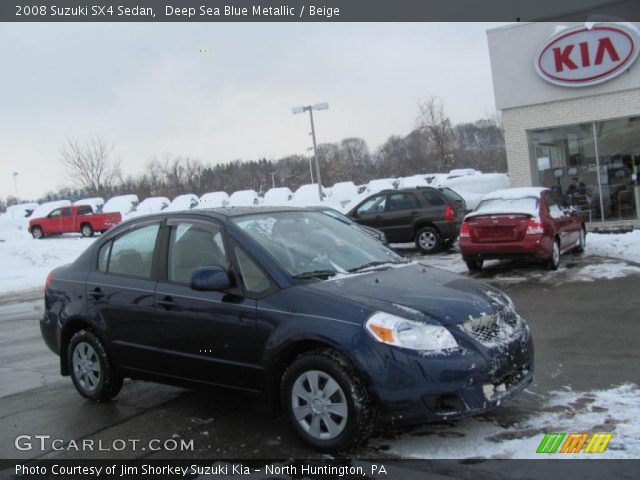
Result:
[{"x": 417, "y": 291}]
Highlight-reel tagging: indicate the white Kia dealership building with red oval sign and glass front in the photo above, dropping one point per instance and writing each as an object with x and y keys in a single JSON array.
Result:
[{"x": 569, "y": 95}]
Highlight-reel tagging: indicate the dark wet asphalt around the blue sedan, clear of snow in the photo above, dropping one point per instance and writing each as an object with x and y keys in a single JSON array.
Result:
[{"x": 585, "y": 336}]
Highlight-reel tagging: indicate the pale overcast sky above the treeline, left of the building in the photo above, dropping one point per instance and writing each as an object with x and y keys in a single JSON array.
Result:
[{"x": 151, "y": 89}]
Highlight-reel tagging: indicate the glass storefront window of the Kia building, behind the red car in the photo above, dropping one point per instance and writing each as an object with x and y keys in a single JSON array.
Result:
[{"x": 597, "y": 164}]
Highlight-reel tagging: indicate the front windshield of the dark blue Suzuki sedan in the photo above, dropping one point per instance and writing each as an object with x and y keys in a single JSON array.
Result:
[{"x": 314, "y": 245}]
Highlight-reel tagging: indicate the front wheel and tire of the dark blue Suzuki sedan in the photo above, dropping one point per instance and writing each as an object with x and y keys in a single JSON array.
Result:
[{"x": 350, "y": 419}]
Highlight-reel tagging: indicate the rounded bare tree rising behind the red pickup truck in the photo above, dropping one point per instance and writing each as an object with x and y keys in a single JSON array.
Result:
[{"x": 91, "y": 165}]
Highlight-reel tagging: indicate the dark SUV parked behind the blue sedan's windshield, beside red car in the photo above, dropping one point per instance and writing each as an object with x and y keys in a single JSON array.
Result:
[{"x": 430, "y": 217}]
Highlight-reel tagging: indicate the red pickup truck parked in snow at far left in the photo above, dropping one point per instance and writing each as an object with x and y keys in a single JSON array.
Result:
[{"x": 74, "y": 219}]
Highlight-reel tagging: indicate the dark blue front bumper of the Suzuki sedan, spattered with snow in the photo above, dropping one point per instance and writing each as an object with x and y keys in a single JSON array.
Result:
[{"x": 413, "y": 387}]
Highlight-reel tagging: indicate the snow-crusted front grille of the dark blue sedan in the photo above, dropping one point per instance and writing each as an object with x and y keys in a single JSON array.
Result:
[{"x": 494, "y": 329}]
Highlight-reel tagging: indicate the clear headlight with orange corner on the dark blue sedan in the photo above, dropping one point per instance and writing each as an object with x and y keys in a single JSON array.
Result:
[{"x": 398, "y": 331}]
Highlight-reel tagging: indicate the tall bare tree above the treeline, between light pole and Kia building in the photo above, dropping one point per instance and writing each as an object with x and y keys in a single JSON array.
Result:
[{"x": 436, "y": 125}]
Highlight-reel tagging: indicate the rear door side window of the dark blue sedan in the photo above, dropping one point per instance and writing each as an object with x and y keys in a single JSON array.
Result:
[{"x": 132, "y": 252}]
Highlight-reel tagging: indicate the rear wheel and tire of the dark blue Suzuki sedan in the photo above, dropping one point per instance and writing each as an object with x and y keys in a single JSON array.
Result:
[{"x": 91, "y": 370}]
